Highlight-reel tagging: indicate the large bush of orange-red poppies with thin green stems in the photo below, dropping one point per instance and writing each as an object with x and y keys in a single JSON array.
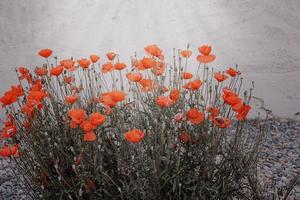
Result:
[{"x": 82, "y": 129}]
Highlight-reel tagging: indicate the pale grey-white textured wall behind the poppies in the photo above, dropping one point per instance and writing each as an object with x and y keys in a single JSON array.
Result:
[{"x": 262, "y": 36}]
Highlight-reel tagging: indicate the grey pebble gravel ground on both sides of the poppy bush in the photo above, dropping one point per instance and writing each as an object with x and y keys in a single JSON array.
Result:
[{"x": 279, "y": 162}]
